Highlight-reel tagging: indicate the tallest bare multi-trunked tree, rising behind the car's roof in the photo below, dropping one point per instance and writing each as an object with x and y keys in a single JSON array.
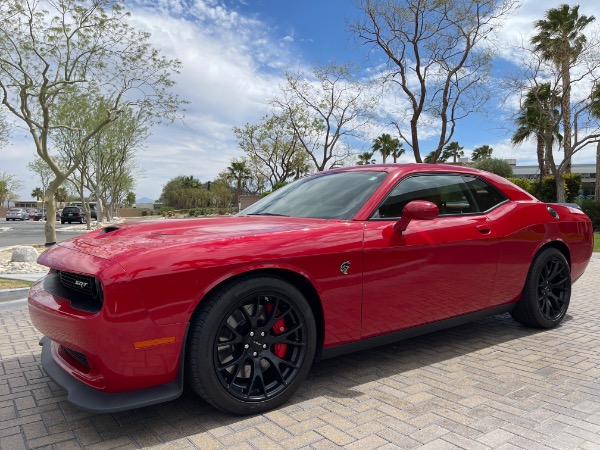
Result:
[{"x": 437, "y": 60}]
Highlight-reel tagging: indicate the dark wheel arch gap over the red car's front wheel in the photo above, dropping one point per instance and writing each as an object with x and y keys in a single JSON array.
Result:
[{"x": 295, "y": 279}]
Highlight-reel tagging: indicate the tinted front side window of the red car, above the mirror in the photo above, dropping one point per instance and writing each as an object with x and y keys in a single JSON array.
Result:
[{"x": 448, "y": 192}]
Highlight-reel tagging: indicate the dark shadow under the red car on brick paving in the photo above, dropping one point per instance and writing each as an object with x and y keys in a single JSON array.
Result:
[{"x": 330, "y": 382}]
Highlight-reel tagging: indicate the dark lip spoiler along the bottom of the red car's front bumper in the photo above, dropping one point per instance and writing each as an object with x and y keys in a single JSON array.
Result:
[{"x": 92, "y": 400}]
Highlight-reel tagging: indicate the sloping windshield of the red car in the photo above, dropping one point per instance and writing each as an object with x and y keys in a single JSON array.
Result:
[{"x": 335, "y": 195}]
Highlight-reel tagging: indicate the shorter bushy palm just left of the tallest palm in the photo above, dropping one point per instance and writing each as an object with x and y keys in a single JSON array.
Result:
[{"x": 539, "y": 117}]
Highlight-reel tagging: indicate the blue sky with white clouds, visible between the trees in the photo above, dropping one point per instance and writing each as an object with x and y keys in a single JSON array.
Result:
[{"x": 234, "y": 56}]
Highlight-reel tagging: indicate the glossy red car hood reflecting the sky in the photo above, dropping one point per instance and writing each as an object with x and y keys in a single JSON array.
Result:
[{"x": 125, "y": 239}]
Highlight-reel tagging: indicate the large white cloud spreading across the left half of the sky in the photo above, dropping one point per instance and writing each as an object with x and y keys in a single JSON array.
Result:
[{"x": 230, "y": 72}]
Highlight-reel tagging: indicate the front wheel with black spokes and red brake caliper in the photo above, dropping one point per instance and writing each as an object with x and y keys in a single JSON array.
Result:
[{"x": 250, "y": 345}]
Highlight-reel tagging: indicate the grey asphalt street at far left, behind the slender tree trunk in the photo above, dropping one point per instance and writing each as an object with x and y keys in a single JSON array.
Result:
[{"x": 30, "y": 232}]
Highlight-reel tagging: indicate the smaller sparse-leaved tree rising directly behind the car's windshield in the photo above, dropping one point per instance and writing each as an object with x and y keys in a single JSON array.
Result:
[{"x": 322, "y": 111}]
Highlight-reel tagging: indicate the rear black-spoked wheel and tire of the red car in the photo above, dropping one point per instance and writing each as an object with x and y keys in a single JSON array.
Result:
[{"x": 547, "y": 291}]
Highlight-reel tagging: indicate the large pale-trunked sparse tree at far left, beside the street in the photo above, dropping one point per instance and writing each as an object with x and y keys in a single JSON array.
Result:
[{"x": 73, "y": 48}]
